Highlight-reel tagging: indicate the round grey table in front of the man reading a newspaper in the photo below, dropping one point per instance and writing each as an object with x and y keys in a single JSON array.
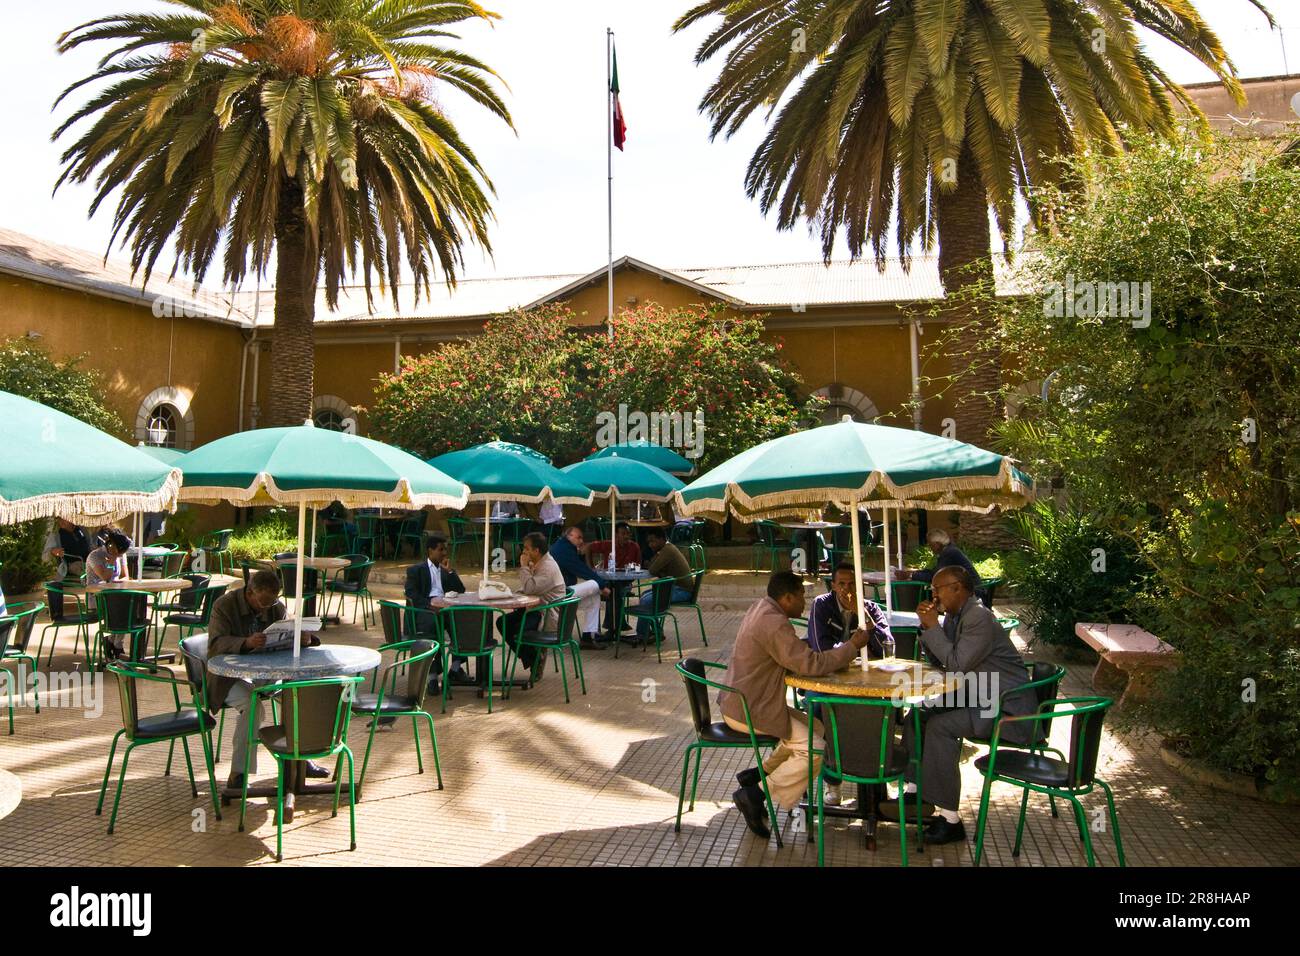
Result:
[{"x": 324, "y": 661}]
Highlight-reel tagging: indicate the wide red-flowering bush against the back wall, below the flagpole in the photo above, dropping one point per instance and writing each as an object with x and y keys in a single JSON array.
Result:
[{"x": 536, "y": 379}]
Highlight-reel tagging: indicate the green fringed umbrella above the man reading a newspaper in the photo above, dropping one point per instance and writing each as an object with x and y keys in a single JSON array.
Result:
[{"x": 313, "y": 468}]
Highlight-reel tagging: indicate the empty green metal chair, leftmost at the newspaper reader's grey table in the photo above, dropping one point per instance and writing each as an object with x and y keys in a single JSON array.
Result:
[{"x": 140, "y": 732}]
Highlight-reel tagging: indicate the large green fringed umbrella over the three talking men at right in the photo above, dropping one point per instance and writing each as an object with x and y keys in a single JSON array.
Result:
[{"x": 855, "y": 465}]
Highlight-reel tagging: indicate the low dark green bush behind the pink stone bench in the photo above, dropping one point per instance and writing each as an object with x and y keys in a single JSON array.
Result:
[{"x": 1071, "y": 570}]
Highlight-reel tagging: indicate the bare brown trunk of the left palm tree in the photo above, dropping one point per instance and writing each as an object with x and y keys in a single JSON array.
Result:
[{"x": 293, "y": 343}]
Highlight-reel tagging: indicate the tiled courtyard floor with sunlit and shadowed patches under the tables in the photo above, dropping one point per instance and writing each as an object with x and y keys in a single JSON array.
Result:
[{"x": 593, "y": 782}]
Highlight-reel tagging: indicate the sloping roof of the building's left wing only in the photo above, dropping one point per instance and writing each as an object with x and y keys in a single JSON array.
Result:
[{"x": 83, "y": 271}]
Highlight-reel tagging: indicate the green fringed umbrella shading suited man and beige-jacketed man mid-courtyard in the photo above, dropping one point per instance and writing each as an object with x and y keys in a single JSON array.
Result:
[{"x": 504, "y": 471}]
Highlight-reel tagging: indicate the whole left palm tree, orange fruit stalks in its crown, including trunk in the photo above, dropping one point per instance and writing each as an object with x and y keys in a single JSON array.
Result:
[{"x": 307, "y": 128}]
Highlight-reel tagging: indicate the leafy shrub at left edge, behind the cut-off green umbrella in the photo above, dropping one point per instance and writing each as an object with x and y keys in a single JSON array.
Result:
[{"x": 28, "y": 370}]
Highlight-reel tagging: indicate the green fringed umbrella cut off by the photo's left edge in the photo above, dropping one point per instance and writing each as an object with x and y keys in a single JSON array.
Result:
[{"x": 58, "y": 466}]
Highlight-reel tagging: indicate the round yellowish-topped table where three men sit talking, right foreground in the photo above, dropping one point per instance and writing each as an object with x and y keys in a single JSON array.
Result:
[{"x": 913, "y": 685}]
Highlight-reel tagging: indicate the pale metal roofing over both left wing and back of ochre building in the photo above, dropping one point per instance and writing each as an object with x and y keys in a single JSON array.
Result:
[{"x": 748, "y": 288}]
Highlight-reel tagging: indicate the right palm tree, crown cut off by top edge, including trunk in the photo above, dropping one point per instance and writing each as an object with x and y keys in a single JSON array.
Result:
[{"x": 920, "y": 116}]
